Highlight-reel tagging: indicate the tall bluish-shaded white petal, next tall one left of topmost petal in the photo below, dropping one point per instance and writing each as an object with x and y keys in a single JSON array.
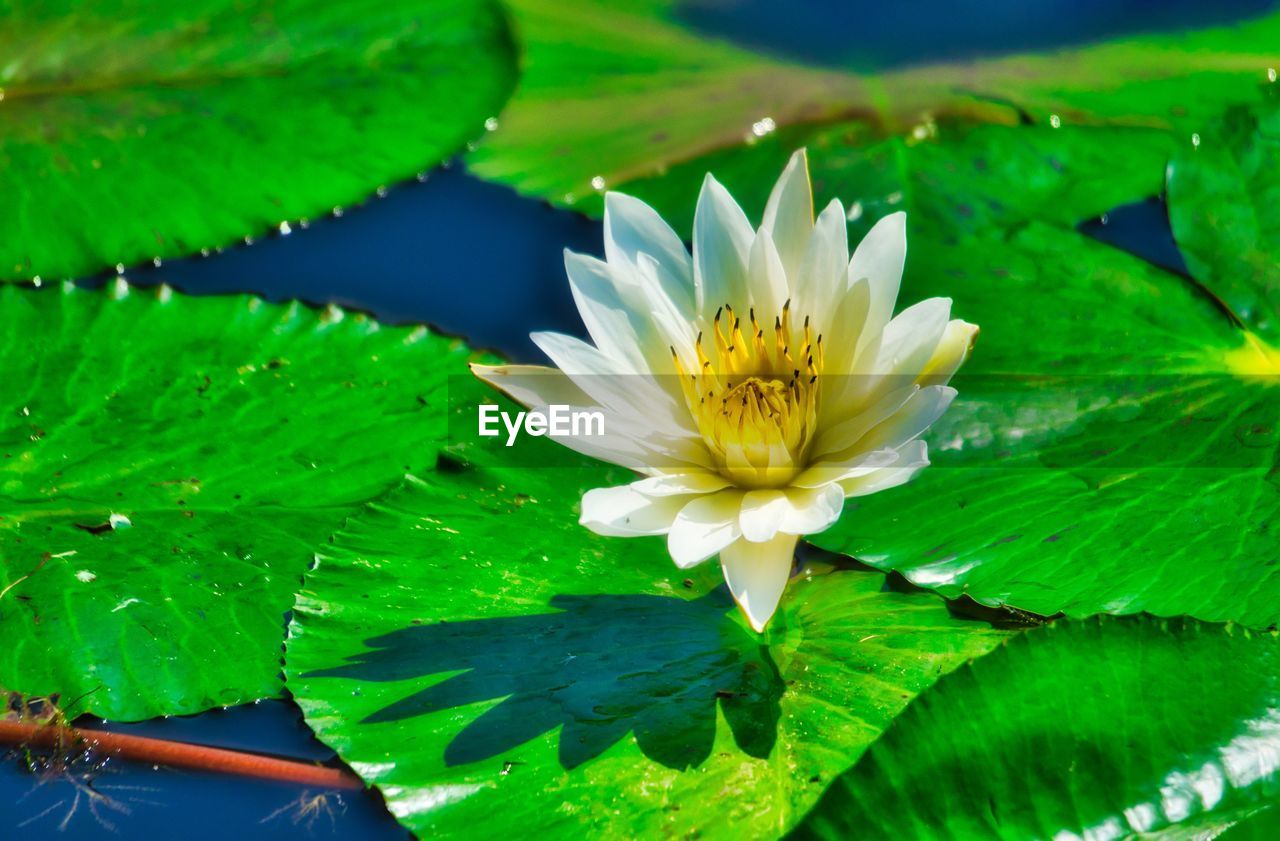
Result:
[{"x": 723, "y": 240}]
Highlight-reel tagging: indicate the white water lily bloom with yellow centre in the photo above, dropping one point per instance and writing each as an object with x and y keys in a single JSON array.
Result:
[{"x": 755, "y": 386}]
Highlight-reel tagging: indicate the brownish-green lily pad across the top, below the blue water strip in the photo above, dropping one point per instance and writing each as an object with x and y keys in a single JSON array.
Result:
[{"x": 610, "y": 97}]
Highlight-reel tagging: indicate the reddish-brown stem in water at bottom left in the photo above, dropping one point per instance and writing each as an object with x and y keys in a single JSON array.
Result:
[{"x": 177, "y": 755}]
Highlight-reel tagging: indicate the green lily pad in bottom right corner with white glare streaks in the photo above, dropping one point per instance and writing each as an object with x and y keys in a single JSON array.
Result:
[{"x": 1100, "y": 729}]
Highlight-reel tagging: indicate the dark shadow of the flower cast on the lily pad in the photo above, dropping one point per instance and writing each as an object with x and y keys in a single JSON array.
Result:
[{"x": 601, "y": 668}]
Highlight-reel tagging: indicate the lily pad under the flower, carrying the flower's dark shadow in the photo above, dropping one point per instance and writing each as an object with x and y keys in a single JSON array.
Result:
[{"x": 564, "y": 683}]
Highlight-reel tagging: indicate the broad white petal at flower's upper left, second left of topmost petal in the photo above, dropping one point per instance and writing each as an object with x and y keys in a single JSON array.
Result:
[{"x": 634, "y": 228}]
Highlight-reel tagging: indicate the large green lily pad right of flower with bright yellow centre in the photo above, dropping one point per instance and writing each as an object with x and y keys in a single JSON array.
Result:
[{"x": 1114, "y": 445}]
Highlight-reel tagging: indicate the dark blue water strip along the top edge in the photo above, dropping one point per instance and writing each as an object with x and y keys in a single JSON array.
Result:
[{"x": 871, "y": 36}]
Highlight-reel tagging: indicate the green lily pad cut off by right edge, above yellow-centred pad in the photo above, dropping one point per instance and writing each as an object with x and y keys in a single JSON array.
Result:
[{"x": 1226, "y": 212}]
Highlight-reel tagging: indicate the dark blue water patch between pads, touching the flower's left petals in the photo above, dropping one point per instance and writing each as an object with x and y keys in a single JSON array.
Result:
[{"x": 470, "y": 258}]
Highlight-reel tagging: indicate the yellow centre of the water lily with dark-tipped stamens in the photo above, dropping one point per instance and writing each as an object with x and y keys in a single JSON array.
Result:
[{"x": 755, "y": 396}]
